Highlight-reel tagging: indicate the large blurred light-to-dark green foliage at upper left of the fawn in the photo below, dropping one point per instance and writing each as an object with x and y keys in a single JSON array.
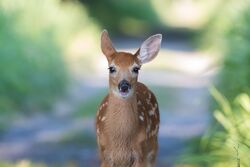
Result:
[{"x": 34, "y": 40}]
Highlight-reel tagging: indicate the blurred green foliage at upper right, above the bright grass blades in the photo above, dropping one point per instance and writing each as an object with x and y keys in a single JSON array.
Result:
[{"x": 229, "y": 34}]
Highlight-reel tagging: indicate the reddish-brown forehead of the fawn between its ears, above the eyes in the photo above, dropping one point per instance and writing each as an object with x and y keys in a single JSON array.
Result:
[{"x": 125, "y": 60}]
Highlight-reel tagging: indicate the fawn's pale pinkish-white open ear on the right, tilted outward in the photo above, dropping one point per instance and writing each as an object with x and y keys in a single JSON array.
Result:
[{"x": 149, "y": 49}]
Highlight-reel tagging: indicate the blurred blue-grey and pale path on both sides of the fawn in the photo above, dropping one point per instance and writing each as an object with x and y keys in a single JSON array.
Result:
[{"x": 38, "y": 138}]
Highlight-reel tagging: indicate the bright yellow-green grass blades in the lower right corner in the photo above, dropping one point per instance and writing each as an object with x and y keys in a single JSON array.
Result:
[{"x": 229, "y": 144}]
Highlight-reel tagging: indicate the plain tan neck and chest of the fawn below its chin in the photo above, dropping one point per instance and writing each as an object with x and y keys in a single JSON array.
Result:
[{"x": 122, "y": 120}]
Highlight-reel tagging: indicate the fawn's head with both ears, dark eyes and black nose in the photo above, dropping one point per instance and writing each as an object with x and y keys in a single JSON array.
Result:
[{"x": 124, "y": 67}]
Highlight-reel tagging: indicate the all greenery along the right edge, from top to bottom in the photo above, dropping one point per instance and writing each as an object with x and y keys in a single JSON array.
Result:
[{"x": 227, "y": 140}]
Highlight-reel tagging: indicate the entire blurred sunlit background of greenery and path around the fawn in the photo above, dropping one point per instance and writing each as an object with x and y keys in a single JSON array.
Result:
[{"x": 53, "y": 77}]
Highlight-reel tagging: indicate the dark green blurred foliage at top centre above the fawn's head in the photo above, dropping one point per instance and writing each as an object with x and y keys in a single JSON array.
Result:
[{"x": 131, "y": 17}]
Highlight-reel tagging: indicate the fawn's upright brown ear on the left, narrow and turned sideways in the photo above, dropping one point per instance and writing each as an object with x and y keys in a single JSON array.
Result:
[{"x": 106, "y": 45}]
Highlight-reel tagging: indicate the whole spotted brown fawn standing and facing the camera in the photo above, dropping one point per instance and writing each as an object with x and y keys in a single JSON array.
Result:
[{"x": 127, "y": 121}]
